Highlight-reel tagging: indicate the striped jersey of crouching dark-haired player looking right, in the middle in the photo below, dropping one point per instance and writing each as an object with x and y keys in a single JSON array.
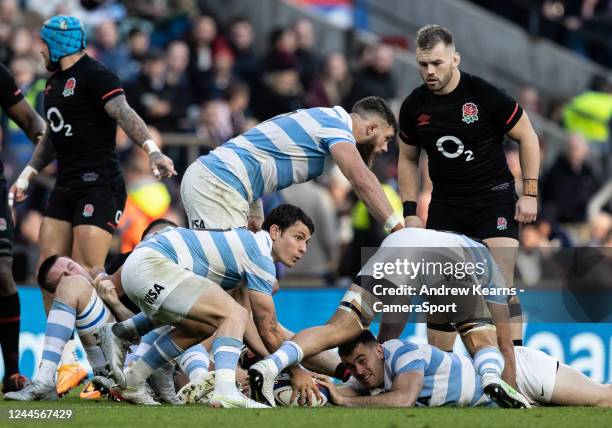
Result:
[{"x": 224, "y": 256}]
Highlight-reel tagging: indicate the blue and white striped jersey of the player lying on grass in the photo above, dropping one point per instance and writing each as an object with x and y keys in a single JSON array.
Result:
[{"x": 449, "y": 379}]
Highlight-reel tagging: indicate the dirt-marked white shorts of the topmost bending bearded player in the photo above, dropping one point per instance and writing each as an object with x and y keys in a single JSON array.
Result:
[{"x": 209, "y": 202}]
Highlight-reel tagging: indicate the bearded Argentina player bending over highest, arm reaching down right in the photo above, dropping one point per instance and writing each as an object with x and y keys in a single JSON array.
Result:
[{"x": 224, "y": 188}]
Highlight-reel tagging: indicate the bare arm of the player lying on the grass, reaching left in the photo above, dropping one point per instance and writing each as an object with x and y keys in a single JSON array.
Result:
[{"x": 404, "y": 393}]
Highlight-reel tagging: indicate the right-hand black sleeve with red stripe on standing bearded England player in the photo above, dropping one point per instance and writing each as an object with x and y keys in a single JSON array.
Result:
[{"x": 504, "y": 110}]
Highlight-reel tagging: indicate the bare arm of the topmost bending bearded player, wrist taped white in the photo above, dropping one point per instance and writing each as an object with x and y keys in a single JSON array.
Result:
[{"x": 365, "y": 184}]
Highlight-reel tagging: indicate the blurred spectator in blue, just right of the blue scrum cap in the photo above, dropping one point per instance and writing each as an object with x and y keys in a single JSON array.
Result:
[{"x": 111, "y": 52}]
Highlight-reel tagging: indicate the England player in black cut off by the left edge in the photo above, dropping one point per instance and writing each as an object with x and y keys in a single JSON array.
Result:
[{"x": 15, "y": 106}]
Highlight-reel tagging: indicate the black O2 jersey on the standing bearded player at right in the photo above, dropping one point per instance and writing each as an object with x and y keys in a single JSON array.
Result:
[{"x": 462, "y": 133}]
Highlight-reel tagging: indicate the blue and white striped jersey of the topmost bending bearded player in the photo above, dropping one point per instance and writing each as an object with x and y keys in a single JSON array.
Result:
[{"x": 289, "y": 148}]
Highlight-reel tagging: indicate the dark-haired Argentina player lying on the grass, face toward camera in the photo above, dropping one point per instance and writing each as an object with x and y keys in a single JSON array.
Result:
[{"x": 400, "y": 373}]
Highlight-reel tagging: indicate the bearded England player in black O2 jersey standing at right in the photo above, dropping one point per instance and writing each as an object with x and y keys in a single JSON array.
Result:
[{"x": 460, "y": 121}]
